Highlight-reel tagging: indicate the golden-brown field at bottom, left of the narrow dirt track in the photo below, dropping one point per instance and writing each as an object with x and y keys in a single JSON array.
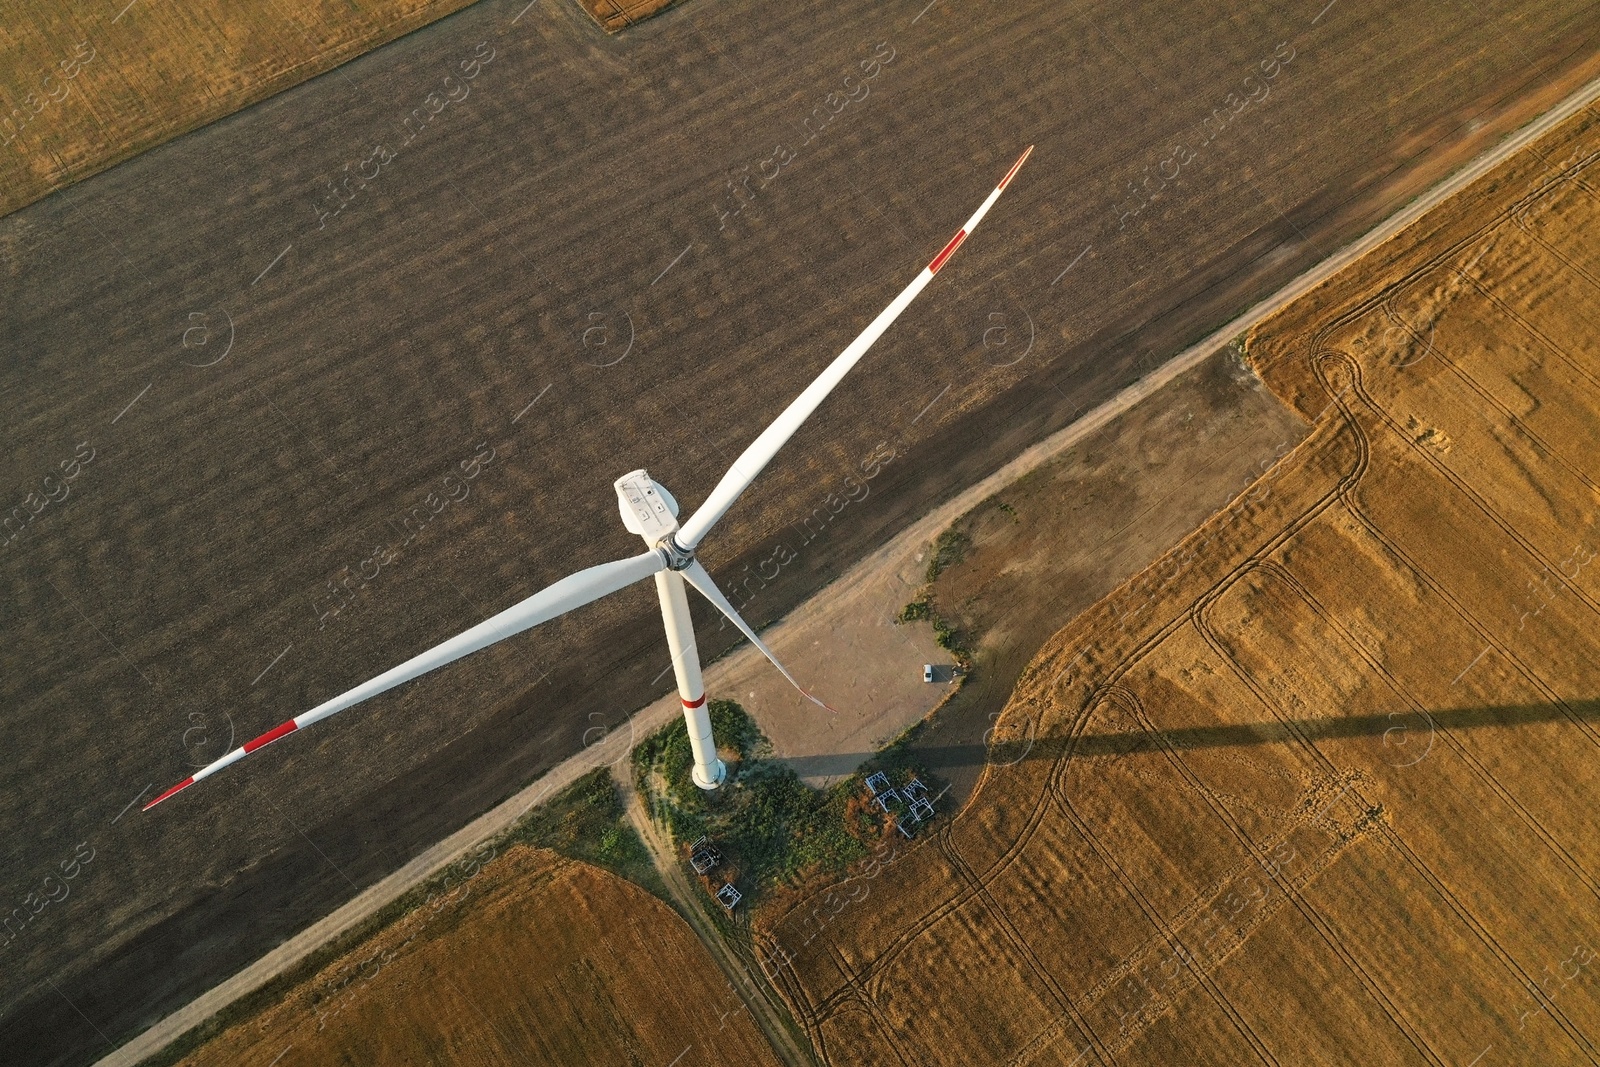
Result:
[{"x": 556, "y": 962}]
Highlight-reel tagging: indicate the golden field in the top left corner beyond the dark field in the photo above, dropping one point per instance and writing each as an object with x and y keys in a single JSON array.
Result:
[{"x": 86, "y": 86}]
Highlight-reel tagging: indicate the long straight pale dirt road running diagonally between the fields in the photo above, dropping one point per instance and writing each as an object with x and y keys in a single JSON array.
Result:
[{"x": 908, "y": 541}]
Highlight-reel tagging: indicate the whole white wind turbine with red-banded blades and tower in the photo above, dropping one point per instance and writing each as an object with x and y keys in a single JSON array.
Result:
[{"x": 650, "y": 513}]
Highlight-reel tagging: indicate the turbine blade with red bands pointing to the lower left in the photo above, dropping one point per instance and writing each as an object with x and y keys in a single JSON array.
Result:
[{"x": 545, "y": 605}]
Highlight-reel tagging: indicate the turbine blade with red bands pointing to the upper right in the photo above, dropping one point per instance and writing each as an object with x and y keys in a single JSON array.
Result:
[{"x": 785, "y": 426}]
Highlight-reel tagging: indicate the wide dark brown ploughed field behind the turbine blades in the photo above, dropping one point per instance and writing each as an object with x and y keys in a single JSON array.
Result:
[{"x": 558, "y": 266}]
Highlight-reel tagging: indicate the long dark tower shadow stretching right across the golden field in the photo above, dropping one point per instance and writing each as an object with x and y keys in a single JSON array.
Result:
[{"x": 1407, "y": 735}]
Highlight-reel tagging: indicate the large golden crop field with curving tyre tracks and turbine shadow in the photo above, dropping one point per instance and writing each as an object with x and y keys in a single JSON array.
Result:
[{"x": 1321, "y": 785}]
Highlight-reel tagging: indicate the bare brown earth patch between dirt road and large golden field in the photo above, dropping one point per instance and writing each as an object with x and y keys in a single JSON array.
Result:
[{"x": 1054, "y": 543}]
